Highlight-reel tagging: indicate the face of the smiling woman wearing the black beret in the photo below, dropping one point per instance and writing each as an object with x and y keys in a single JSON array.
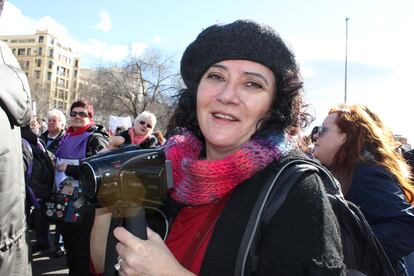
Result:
[{"x": 233, "y": 95}]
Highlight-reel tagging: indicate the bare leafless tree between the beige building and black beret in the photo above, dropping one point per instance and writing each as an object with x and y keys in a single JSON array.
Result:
[{"x": 142, "y": 83}]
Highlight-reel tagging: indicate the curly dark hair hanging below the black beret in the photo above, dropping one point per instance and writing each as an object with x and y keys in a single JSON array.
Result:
[{"x": 286, "y": 114}]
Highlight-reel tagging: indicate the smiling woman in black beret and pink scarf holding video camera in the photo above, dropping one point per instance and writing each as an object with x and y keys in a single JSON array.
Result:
[{"x": 230, "y": 132}]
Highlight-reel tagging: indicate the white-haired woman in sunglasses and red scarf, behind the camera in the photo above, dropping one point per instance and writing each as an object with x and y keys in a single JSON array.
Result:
[{"x": 139, "y": 134}]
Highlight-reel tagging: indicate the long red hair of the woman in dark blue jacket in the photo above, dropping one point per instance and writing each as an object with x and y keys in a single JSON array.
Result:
[{"x": 368, "y": 140}]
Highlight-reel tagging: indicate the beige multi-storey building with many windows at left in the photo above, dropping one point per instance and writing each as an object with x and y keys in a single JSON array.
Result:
[{"x": 51, "y": 68}]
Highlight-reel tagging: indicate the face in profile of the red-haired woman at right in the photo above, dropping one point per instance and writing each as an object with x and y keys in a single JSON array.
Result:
[{"x": 329, "y": 140}]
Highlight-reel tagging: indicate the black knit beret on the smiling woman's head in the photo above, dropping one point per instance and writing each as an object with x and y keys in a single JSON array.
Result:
[{"x": 242, "y": 39}]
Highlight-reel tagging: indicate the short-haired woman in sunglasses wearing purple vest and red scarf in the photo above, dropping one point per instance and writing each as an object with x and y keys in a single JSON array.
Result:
[{"x": 83, "y": 139}]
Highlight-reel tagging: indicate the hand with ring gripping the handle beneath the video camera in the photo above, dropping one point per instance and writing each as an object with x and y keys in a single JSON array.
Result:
[{"x": 146, "y": 257}]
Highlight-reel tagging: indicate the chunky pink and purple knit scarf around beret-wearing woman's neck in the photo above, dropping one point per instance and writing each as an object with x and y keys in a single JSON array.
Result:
[{"x": 198, "y": 182}]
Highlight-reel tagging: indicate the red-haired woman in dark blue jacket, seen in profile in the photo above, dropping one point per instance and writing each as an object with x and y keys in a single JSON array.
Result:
[{"x": 361, "y": 153}]
